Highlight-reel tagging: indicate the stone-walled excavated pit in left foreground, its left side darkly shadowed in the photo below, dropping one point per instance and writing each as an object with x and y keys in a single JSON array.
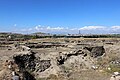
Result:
[{"x": 29, "y": 62}]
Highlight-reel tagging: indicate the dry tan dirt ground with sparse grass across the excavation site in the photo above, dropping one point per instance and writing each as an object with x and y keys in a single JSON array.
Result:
[{"x": 70, "y": 58}]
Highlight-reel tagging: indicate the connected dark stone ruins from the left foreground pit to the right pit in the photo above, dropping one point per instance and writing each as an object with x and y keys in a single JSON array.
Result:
[{"x": 29, "y": 62}]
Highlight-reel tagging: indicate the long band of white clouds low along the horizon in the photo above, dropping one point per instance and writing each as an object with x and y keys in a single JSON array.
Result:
[{"x": 66, "y": 30}]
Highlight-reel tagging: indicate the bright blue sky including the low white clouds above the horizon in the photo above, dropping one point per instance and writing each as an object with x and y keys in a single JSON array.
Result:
[{"x": 60, "y": 16}]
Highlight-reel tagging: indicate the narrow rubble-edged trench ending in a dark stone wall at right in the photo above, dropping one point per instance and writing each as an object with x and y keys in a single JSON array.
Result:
[{"x": 95, "y": 51}]
